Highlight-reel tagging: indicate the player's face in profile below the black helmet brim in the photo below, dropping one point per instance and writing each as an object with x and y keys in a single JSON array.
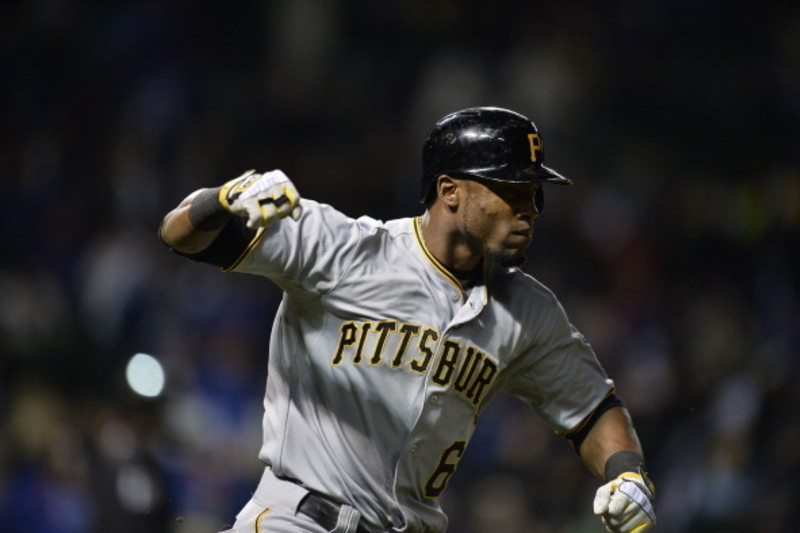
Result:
[{"x": 498, "y": 219}]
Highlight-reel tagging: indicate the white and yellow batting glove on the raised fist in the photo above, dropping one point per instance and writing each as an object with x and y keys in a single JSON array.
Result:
[{"x": 261, "y": 198}]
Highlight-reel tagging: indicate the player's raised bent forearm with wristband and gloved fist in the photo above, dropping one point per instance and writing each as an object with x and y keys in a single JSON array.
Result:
[{"x": 260, "y": 198}]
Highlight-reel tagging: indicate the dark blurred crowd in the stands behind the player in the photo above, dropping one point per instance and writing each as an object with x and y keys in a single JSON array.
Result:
[{"x": 677, "y": 252}]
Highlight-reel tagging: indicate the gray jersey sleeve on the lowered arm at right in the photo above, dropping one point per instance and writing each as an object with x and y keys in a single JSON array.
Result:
[{"x": 558, "y": 373}]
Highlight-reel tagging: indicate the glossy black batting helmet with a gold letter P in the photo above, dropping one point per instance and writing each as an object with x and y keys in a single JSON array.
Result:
[{"x": 485, "y": 142}]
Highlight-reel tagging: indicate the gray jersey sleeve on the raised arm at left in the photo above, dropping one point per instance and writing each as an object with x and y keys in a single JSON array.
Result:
[{"x": 307, "y": 255}]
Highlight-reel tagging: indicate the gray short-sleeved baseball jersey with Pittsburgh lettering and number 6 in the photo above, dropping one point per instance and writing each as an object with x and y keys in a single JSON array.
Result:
[{"x": 380, "y": 362}]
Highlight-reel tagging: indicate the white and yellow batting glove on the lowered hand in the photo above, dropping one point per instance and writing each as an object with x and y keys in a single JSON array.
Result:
[{"x": 625, "y": 504}]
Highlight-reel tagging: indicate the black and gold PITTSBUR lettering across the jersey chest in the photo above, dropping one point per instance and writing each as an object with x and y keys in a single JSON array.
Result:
[{"x": 467, "y": 369}]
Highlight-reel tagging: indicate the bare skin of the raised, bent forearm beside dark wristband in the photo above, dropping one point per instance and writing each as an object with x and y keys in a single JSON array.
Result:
[{"x": 179, "y": 229}]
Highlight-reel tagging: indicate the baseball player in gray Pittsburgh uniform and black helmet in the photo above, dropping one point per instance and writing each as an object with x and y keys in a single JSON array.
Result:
[{"x": 392, "y": 337}]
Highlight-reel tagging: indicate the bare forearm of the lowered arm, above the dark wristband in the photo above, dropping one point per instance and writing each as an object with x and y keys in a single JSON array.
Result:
[{"x": 613, "y": 432}]
